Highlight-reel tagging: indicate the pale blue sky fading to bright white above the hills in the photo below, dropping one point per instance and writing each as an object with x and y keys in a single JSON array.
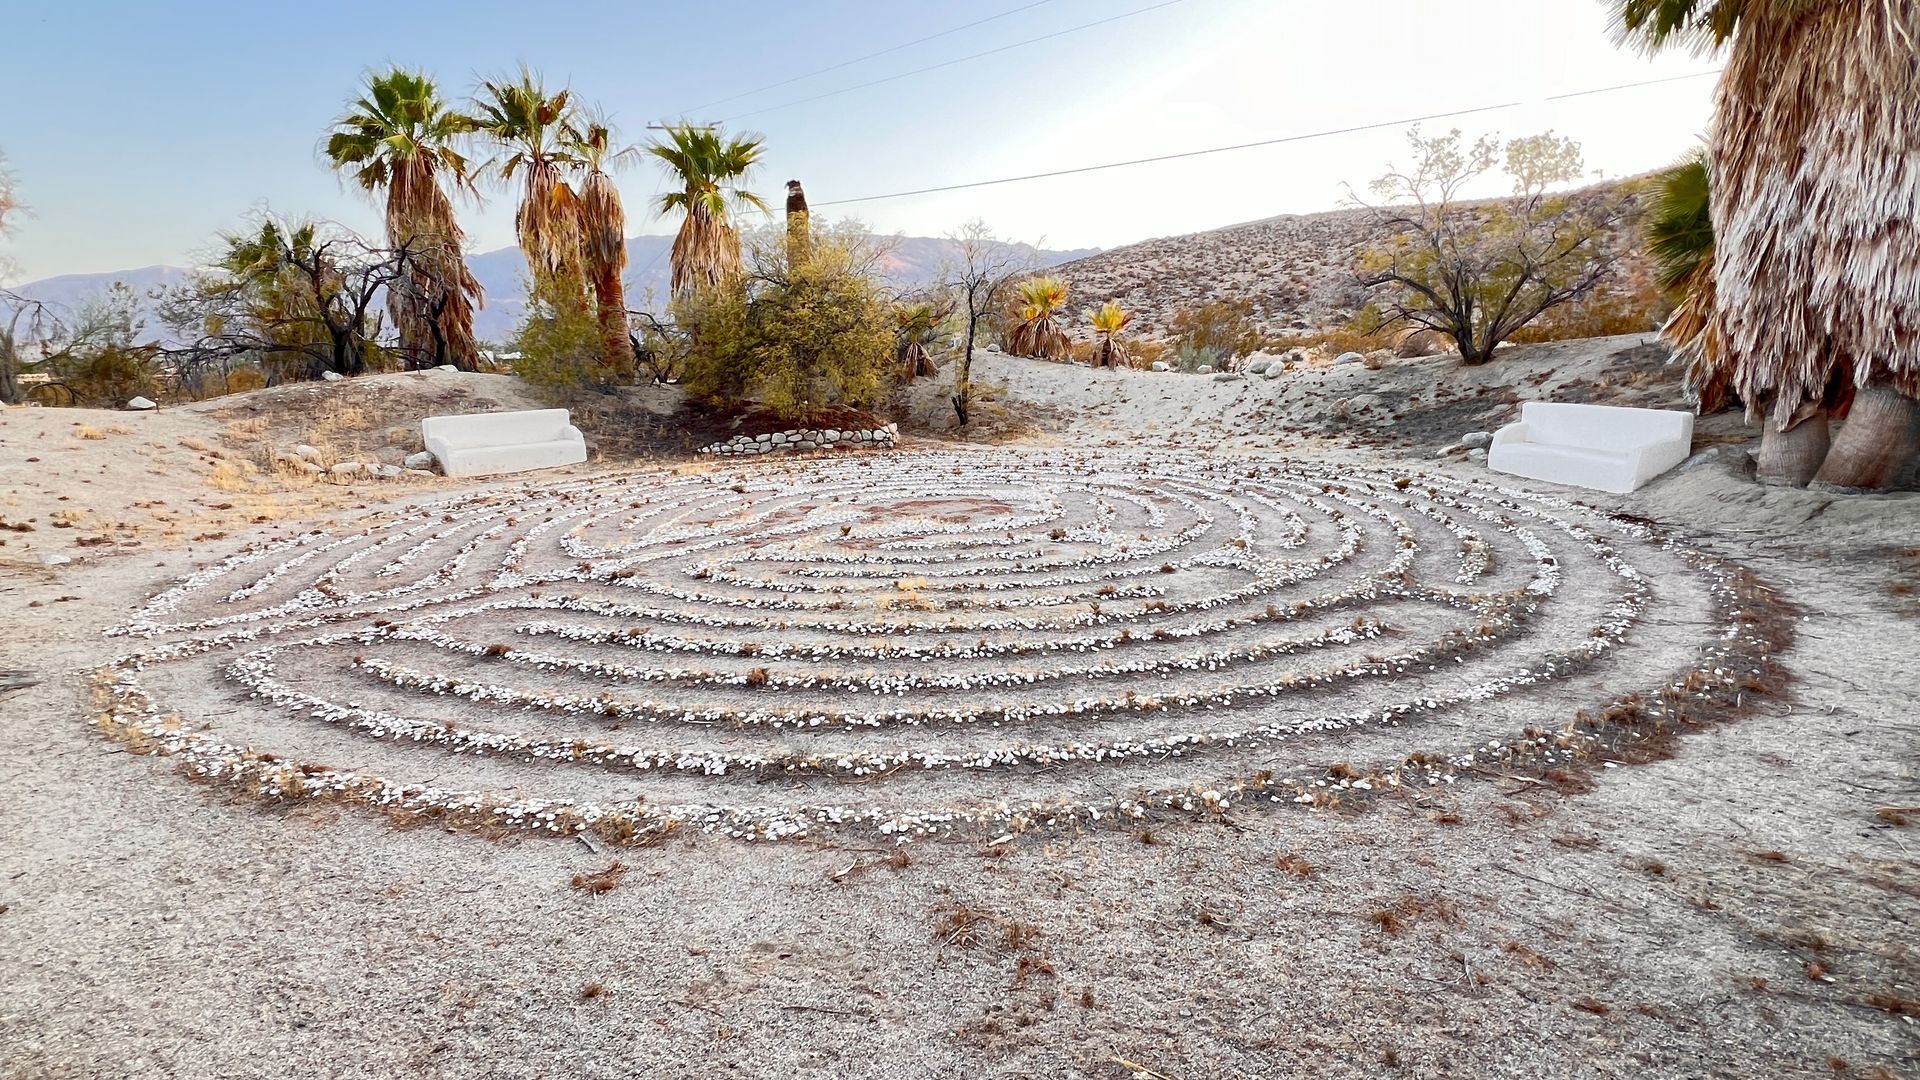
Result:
[{"x": 139, "y": 130}]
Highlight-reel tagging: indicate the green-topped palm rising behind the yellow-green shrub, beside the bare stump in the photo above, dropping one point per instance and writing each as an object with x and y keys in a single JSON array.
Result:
[{"x": 709, "y": 172}]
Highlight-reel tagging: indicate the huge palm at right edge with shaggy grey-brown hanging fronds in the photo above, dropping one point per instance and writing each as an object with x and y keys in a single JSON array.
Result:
[{"x": 1815, "y": 166}]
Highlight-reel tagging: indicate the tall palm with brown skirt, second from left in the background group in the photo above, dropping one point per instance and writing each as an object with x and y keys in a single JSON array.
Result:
[{"x": 531, "y": 130}]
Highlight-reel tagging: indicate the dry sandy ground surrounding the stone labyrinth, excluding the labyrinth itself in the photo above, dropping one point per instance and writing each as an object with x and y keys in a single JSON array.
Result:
[{"x": 1739, "y": 910}]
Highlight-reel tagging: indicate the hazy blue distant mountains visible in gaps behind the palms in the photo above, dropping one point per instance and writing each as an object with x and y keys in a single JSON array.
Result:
[{"x": 502, "y": 274}]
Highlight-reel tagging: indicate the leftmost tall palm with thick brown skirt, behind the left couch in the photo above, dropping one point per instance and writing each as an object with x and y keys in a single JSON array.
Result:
[{"x": 400, "y": 137}]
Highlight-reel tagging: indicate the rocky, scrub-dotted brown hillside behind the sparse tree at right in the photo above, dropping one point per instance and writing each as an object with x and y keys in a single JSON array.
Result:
[{"x": 1295, "y": 270}]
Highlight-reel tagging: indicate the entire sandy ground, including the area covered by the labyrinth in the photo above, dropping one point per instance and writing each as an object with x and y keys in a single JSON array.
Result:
[{"x": 1606, "y": 895}]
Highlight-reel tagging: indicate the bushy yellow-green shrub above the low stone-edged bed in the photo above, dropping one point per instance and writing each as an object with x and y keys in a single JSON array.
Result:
[{"x": 794, "y": 333}]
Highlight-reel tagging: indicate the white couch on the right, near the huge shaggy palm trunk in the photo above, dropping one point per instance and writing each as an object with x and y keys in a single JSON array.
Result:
[{"x": 1593, "y": 447}]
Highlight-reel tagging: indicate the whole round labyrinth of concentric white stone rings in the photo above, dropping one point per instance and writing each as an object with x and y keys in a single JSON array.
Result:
[{"x": 936, "y": 643}]
